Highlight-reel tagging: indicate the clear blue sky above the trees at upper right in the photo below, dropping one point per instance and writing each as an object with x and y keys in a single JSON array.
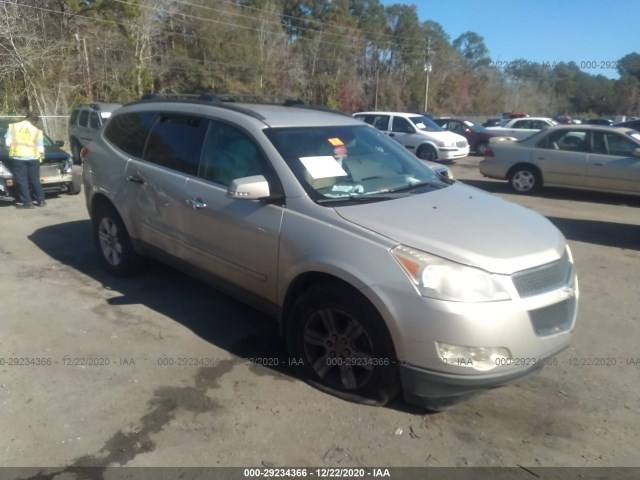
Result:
[{"x": 587, "y": 32}]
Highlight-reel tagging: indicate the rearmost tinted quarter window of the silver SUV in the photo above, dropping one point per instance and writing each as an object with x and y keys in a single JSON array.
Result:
[{"x": 129, "y": 132}]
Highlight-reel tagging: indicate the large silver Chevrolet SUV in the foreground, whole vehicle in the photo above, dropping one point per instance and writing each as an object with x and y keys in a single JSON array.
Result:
[{"x": 381, "y": 274}]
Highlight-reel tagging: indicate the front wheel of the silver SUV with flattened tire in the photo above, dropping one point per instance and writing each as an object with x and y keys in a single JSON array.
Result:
[{"x": 344, "y": 344}]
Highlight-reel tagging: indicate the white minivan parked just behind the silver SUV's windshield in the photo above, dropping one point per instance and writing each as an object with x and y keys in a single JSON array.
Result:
[{"x": 419, "y": 134}]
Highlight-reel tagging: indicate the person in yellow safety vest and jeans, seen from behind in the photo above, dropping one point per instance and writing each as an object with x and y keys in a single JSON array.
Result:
[{"x": 26, "y": 151}]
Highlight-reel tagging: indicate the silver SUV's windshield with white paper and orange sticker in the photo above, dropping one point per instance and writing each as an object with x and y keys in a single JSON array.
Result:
[{"x": 354, "y": 163}]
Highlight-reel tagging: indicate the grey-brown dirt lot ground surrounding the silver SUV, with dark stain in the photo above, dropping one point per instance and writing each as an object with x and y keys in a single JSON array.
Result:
[{"x": 133, "y": 407}]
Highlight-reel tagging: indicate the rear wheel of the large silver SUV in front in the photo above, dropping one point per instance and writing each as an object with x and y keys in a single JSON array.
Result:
[{"x": 113, "y": 244}]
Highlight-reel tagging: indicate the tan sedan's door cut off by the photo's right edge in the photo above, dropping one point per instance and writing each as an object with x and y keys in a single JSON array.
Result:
[{"x": 612, "y": 165}]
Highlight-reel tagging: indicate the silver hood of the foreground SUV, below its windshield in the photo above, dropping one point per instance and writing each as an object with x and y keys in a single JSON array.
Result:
[{"x": 465, "y": 225}]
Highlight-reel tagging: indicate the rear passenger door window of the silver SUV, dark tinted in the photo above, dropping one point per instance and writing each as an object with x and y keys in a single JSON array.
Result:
[{"x": 175, "y": 141}]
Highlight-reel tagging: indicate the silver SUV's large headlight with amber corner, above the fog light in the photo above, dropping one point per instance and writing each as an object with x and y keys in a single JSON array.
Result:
[{"x": 436, "y": 277}]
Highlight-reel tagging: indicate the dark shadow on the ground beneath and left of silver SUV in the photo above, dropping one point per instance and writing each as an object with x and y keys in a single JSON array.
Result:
[{"x": 215, "y": 317}]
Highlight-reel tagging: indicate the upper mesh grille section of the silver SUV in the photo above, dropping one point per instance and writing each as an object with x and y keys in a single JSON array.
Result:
[{"x": 544, "y": 278}]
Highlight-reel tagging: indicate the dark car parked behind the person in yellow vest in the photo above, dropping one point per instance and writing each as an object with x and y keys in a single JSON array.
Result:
[{"x": 56, "y": 171}]
